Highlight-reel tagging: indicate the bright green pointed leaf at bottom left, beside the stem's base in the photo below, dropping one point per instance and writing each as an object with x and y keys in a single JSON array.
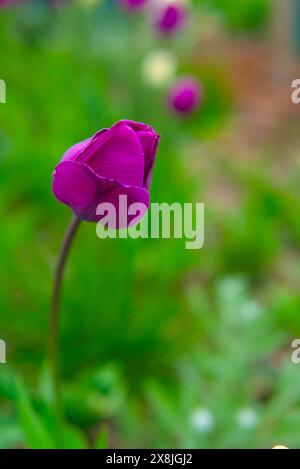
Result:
[{"x": 36, "y": 435}]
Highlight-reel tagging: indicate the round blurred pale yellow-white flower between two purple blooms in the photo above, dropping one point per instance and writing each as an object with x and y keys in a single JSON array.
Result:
[{"x": 159, "y": 68}]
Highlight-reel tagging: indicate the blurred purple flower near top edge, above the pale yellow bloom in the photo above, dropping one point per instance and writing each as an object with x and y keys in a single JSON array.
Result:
[{"x": 170, "y": 18}]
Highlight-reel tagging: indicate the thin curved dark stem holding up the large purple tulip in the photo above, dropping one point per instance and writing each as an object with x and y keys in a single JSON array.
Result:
[{"x": 54, "y": 313}]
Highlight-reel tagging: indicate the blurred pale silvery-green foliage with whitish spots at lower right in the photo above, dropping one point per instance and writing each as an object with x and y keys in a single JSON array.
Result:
[{"x": 226, "y": 383}]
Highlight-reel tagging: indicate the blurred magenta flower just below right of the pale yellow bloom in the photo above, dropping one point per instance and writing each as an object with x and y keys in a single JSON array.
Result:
[{"x": 185, "y": 95}]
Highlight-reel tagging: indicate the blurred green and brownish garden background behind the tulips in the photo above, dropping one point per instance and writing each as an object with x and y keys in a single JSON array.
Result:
[{"x": 160, "y": 346}]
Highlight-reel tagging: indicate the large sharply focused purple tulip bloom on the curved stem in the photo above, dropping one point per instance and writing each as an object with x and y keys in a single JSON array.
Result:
[{"x": 114, "y": 162}]
